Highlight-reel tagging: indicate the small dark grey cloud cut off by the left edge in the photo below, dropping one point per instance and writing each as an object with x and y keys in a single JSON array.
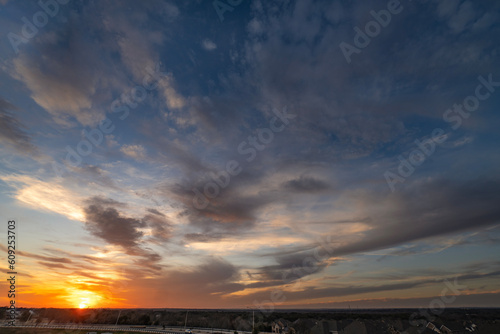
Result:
[{"x": 12, "y": 132}]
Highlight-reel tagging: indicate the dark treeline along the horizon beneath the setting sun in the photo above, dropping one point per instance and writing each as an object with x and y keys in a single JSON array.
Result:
[{"x": 231, "y": 319}]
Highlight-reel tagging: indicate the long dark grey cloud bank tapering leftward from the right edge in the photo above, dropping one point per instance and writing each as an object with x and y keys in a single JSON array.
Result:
[{"x": 432, "y": 208}]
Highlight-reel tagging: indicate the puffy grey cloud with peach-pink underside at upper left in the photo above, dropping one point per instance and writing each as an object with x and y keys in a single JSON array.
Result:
[{"x": 62, "y": 81}]
